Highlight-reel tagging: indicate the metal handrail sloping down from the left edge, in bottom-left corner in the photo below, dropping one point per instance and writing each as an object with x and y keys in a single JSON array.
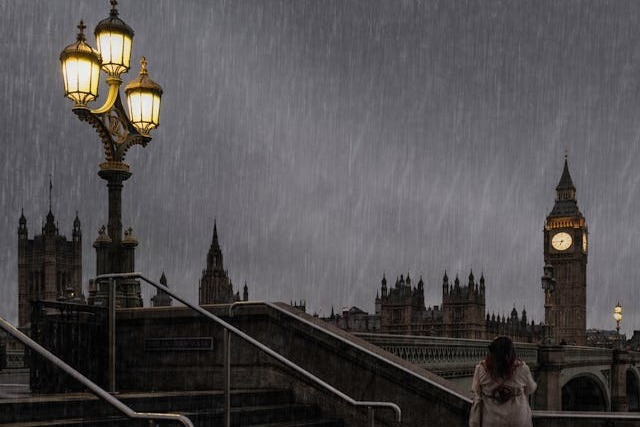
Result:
[{"x": 93, "y": 387}]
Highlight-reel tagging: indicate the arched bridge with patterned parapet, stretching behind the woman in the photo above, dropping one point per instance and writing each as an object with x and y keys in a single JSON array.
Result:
[{"x": 569, "y": 378}]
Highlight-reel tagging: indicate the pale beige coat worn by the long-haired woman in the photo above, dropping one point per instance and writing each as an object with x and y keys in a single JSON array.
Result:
[{"x": 515, "y": 411}]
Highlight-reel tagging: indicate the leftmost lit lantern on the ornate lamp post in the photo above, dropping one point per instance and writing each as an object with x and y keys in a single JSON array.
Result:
[{"x": 80, "y": 70}]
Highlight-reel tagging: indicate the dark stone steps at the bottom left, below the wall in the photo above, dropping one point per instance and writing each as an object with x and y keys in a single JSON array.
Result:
[{"x": 255, "y": 408}]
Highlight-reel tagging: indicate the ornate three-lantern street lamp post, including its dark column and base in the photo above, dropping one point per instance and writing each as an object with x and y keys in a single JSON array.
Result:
[{"x": 118, "y": 132}]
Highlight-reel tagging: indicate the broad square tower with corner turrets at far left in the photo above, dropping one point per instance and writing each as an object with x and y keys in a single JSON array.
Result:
[{"x": 49, "y": 266}]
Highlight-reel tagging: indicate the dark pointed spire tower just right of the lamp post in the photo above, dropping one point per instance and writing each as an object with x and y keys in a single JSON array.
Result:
[{"x": 215, "y": 286}]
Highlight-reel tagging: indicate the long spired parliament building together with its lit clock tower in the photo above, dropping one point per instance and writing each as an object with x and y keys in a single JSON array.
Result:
[{"x": 401, "y": 309}]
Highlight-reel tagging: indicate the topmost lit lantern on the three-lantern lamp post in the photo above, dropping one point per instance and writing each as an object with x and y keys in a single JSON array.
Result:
[{"x": 114, "y": 39}]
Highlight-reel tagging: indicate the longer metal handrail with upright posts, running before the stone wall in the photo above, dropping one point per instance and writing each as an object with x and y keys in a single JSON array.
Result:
[{"x": 230, "y": 328}]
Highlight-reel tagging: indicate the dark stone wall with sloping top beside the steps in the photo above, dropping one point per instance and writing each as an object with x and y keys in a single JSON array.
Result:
[{"x": 357, "y": 368}]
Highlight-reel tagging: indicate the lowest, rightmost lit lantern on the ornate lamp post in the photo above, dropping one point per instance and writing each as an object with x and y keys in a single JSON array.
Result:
[{"x": 143, "y": 97}]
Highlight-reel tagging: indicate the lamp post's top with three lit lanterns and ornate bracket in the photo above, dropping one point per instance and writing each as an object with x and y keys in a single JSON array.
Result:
[{"x": 81, "y": 66}]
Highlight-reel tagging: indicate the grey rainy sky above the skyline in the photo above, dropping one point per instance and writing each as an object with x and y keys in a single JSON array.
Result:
[{"x": 335, "y": 141}]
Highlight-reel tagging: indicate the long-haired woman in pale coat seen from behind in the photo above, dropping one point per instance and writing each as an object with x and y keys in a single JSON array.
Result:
[{"x": 501, "y": 385}]
